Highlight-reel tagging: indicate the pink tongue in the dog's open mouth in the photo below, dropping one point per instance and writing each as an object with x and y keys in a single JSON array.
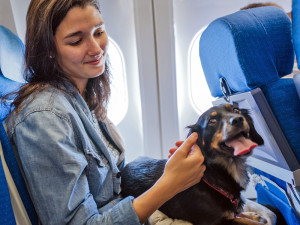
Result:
[{"x": 241, "y": 145}]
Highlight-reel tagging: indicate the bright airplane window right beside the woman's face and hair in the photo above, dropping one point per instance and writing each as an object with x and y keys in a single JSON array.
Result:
[{"x": 118, "y": 103}]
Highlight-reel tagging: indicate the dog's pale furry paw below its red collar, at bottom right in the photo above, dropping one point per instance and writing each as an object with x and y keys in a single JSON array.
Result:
[{"x": 254, "y": 209}]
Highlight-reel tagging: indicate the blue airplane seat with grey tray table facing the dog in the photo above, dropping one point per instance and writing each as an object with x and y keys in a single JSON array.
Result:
[{"x": 245, "y": 56}]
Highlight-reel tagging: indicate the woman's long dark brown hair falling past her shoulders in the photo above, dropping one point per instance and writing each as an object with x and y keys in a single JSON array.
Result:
[{"x": 43, "y": 18}]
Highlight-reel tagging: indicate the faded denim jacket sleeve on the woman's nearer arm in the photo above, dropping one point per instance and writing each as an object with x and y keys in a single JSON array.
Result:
[{"x": 55, "y": 170}]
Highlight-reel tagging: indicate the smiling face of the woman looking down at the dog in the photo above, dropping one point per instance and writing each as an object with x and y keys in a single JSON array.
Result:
[{"x": 81, "y": 43}]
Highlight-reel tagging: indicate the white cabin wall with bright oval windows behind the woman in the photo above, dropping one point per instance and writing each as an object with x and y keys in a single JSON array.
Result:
[{"x": 154, "y": 37}]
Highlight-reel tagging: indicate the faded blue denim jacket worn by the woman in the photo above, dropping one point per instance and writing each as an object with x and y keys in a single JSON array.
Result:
[{"x": 62, "y": 156}]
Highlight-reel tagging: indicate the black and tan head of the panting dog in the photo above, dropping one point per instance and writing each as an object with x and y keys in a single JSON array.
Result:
[{"x": 226, "y": 131}]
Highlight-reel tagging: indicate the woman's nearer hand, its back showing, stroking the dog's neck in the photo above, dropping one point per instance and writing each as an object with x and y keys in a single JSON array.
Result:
[{"x": 185, "y": 167}]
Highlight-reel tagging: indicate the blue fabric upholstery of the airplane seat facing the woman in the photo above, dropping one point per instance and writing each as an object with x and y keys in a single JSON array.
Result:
[{"x": 251, "y": 49}]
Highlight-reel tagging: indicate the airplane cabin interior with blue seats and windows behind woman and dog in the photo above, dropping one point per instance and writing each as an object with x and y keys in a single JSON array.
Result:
[{"x": 175, "y": 59}]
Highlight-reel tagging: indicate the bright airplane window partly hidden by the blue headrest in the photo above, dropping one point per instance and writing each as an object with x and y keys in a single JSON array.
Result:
[{"x": 199, "y": 92}]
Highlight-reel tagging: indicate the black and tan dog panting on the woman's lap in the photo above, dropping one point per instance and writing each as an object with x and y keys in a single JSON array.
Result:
[{"x": 226, "y": 136}]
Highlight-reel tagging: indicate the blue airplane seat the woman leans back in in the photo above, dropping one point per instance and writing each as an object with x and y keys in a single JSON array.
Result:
[{"x": 11, "y": 78}]
